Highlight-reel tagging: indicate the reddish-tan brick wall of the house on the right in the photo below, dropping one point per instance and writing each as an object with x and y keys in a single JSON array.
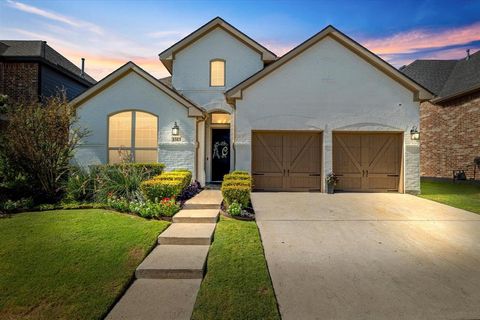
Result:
[{"x": 450, "y": 136}]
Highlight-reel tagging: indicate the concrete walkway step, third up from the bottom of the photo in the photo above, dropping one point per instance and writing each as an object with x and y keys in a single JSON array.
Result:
[{"x": 188, "y": 234}]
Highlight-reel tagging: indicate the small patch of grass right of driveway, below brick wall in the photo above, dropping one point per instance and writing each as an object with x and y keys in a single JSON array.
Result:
[{"x": 463, "y": 196}]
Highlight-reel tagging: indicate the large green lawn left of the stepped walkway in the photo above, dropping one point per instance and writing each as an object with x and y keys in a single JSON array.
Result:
[{"x": 69, "y": 264}]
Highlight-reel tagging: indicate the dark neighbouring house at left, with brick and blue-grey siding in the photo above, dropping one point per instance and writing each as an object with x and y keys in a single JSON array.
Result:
[{"x": 30, "y": 70}]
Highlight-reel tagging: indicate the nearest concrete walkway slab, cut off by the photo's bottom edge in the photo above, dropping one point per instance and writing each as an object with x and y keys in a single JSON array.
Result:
[{"x": 153, "y": 299}]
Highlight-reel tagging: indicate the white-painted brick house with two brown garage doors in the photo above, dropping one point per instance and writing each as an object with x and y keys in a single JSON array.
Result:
[{"x": 328, "y": 104}]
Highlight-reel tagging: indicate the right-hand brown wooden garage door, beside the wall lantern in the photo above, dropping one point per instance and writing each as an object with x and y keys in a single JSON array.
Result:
[{"x": 367, "y": 161}]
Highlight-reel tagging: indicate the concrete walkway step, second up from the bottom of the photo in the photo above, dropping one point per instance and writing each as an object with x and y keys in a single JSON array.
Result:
[{"x": 174, "y": 262}]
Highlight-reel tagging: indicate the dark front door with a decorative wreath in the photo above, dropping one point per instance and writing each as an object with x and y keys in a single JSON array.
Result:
[{"x": 220, "y": 153}]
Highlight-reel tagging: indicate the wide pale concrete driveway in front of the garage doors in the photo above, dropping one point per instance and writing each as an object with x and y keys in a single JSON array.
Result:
[{"x": 370, "y": 256}]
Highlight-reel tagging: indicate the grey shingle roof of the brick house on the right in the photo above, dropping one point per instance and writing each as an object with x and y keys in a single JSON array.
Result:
[{"x": 446, "y": 78}]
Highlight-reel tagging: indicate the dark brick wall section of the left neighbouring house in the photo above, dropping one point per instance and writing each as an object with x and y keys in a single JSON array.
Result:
[{"x": 19, "y": 80}]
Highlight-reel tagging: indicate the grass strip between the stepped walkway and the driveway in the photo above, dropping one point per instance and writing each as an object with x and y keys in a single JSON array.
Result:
[{"x": 237, "y": 284}]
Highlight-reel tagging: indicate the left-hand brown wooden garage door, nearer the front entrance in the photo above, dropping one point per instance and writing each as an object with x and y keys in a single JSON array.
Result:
[{"x": 286, "y": 161}]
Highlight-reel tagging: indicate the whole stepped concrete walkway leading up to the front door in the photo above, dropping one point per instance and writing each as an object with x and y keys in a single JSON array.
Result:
[{"x": 170, "y": 276}]
